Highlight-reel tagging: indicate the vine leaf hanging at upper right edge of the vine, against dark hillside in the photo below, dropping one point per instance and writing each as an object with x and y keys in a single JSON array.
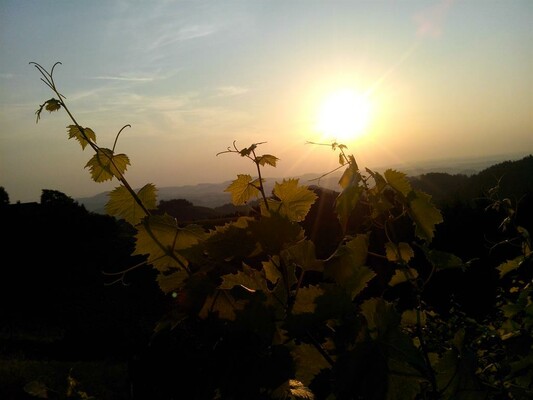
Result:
[{"x": 424, "y": 214}]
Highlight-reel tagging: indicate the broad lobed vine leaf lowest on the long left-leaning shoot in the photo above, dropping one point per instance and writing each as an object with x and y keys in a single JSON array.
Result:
[{"x": 160, "y": 237}]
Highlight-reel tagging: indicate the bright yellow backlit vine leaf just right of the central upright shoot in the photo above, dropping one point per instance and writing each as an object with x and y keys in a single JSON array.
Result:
[{"x": 292, "y": 200}]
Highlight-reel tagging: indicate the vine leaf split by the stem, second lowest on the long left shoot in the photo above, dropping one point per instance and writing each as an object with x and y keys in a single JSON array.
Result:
[{"x": 122, "y": 204}]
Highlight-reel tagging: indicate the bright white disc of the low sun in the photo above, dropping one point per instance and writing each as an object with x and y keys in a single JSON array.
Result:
[{"x": 344, "y": 116}]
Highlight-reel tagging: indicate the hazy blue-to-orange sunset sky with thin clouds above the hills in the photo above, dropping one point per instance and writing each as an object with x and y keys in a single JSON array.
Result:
[{"x": 443, "y": 79}]
